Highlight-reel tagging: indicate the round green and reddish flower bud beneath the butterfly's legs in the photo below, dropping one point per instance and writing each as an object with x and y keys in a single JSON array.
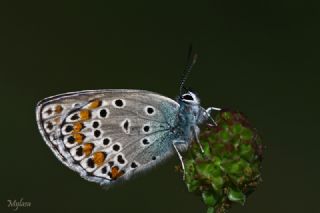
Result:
[{"x": 230, "y": 167}]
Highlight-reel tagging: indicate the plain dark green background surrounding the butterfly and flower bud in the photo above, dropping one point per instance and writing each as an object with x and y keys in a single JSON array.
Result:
[{"x": 260, "y": 57}]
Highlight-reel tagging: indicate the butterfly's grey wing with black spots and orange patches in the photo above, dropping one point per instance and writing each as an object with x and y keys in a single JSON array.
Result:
[{"x": 106, "y": 135}]
